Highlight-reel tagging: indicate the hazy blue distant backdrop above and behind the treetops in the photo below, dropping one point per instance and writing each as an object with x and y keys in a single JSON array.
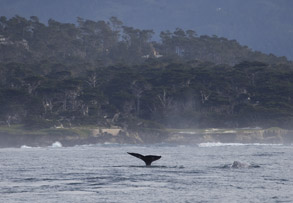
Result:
[{"x": 263, "y": 25}]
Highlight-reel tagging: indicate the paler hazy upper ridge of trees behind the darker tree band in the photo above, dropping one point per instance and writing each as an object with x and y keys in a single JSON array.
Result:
[{"x": 110, "y": 42}]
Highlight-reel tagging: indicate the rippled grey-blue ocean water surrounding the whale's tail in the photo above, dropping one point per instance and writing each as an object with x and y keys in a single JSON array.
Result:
[{"x": 106, "y": 173}]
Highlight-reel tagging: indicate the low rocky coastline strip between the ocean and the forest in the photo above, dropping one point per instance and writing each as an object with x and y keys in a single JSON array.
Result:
[{"x": 16, "y": 136}]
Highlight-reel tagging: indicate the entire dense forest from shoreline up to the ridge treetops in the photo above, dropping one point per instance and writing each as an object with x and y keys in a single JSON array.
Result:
[{"x": 108, "y": 74}]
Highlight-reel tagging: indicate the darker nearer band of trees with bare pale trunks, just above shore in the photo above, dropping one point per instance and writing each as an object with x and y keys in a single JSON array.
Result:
[{"x": 185, "y": 95}]
